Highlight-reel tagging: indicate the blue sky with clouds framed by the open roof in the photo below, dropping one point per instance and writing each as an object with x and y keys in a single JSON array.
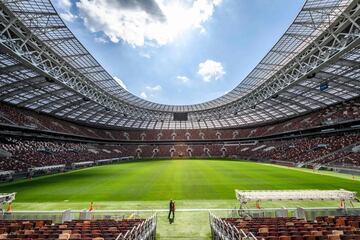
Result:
[{"x": 178, "y": 52}]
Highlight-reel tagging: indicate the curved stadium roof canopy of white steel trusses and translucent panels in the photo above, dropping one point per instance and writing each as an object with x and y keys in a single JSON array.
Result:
[{"x": 44, "y": 67}]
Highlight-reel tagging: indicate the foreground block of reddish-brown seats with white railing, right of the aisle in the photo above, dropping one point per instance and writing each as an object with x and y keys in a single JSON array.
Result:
[{"x": 284, "y": 228}]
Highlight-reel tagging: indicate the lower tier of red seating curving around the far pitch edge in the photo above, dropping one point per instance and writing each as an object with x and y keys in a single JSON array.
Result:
[{"x": 335, "y": 149}]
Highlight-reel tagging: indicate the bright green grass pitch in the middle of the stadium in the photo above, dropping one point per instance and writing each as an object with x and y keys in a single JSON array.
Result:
[{"x": 166, "y": 179}]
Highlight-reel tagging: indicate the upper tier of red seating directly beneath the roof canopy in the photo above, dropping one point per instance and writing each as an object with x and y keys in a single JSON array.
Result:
[{"x": 342, "y": 112}]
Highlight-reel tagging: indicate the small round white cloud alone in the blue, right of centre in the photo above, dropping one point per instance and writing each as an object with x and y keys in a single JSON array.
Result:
[{"x": 211, "y": 70}]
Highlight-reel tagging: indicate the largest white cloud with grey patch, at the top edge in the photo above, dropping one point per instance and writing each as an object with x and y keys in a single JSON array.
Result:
[{"x": 145, "y": 21}]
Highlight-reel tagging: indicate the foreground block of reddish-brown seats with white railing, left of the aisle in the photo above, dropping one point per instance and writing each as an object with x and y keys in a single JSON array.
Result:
[{"x": 78, "y": 229}]
